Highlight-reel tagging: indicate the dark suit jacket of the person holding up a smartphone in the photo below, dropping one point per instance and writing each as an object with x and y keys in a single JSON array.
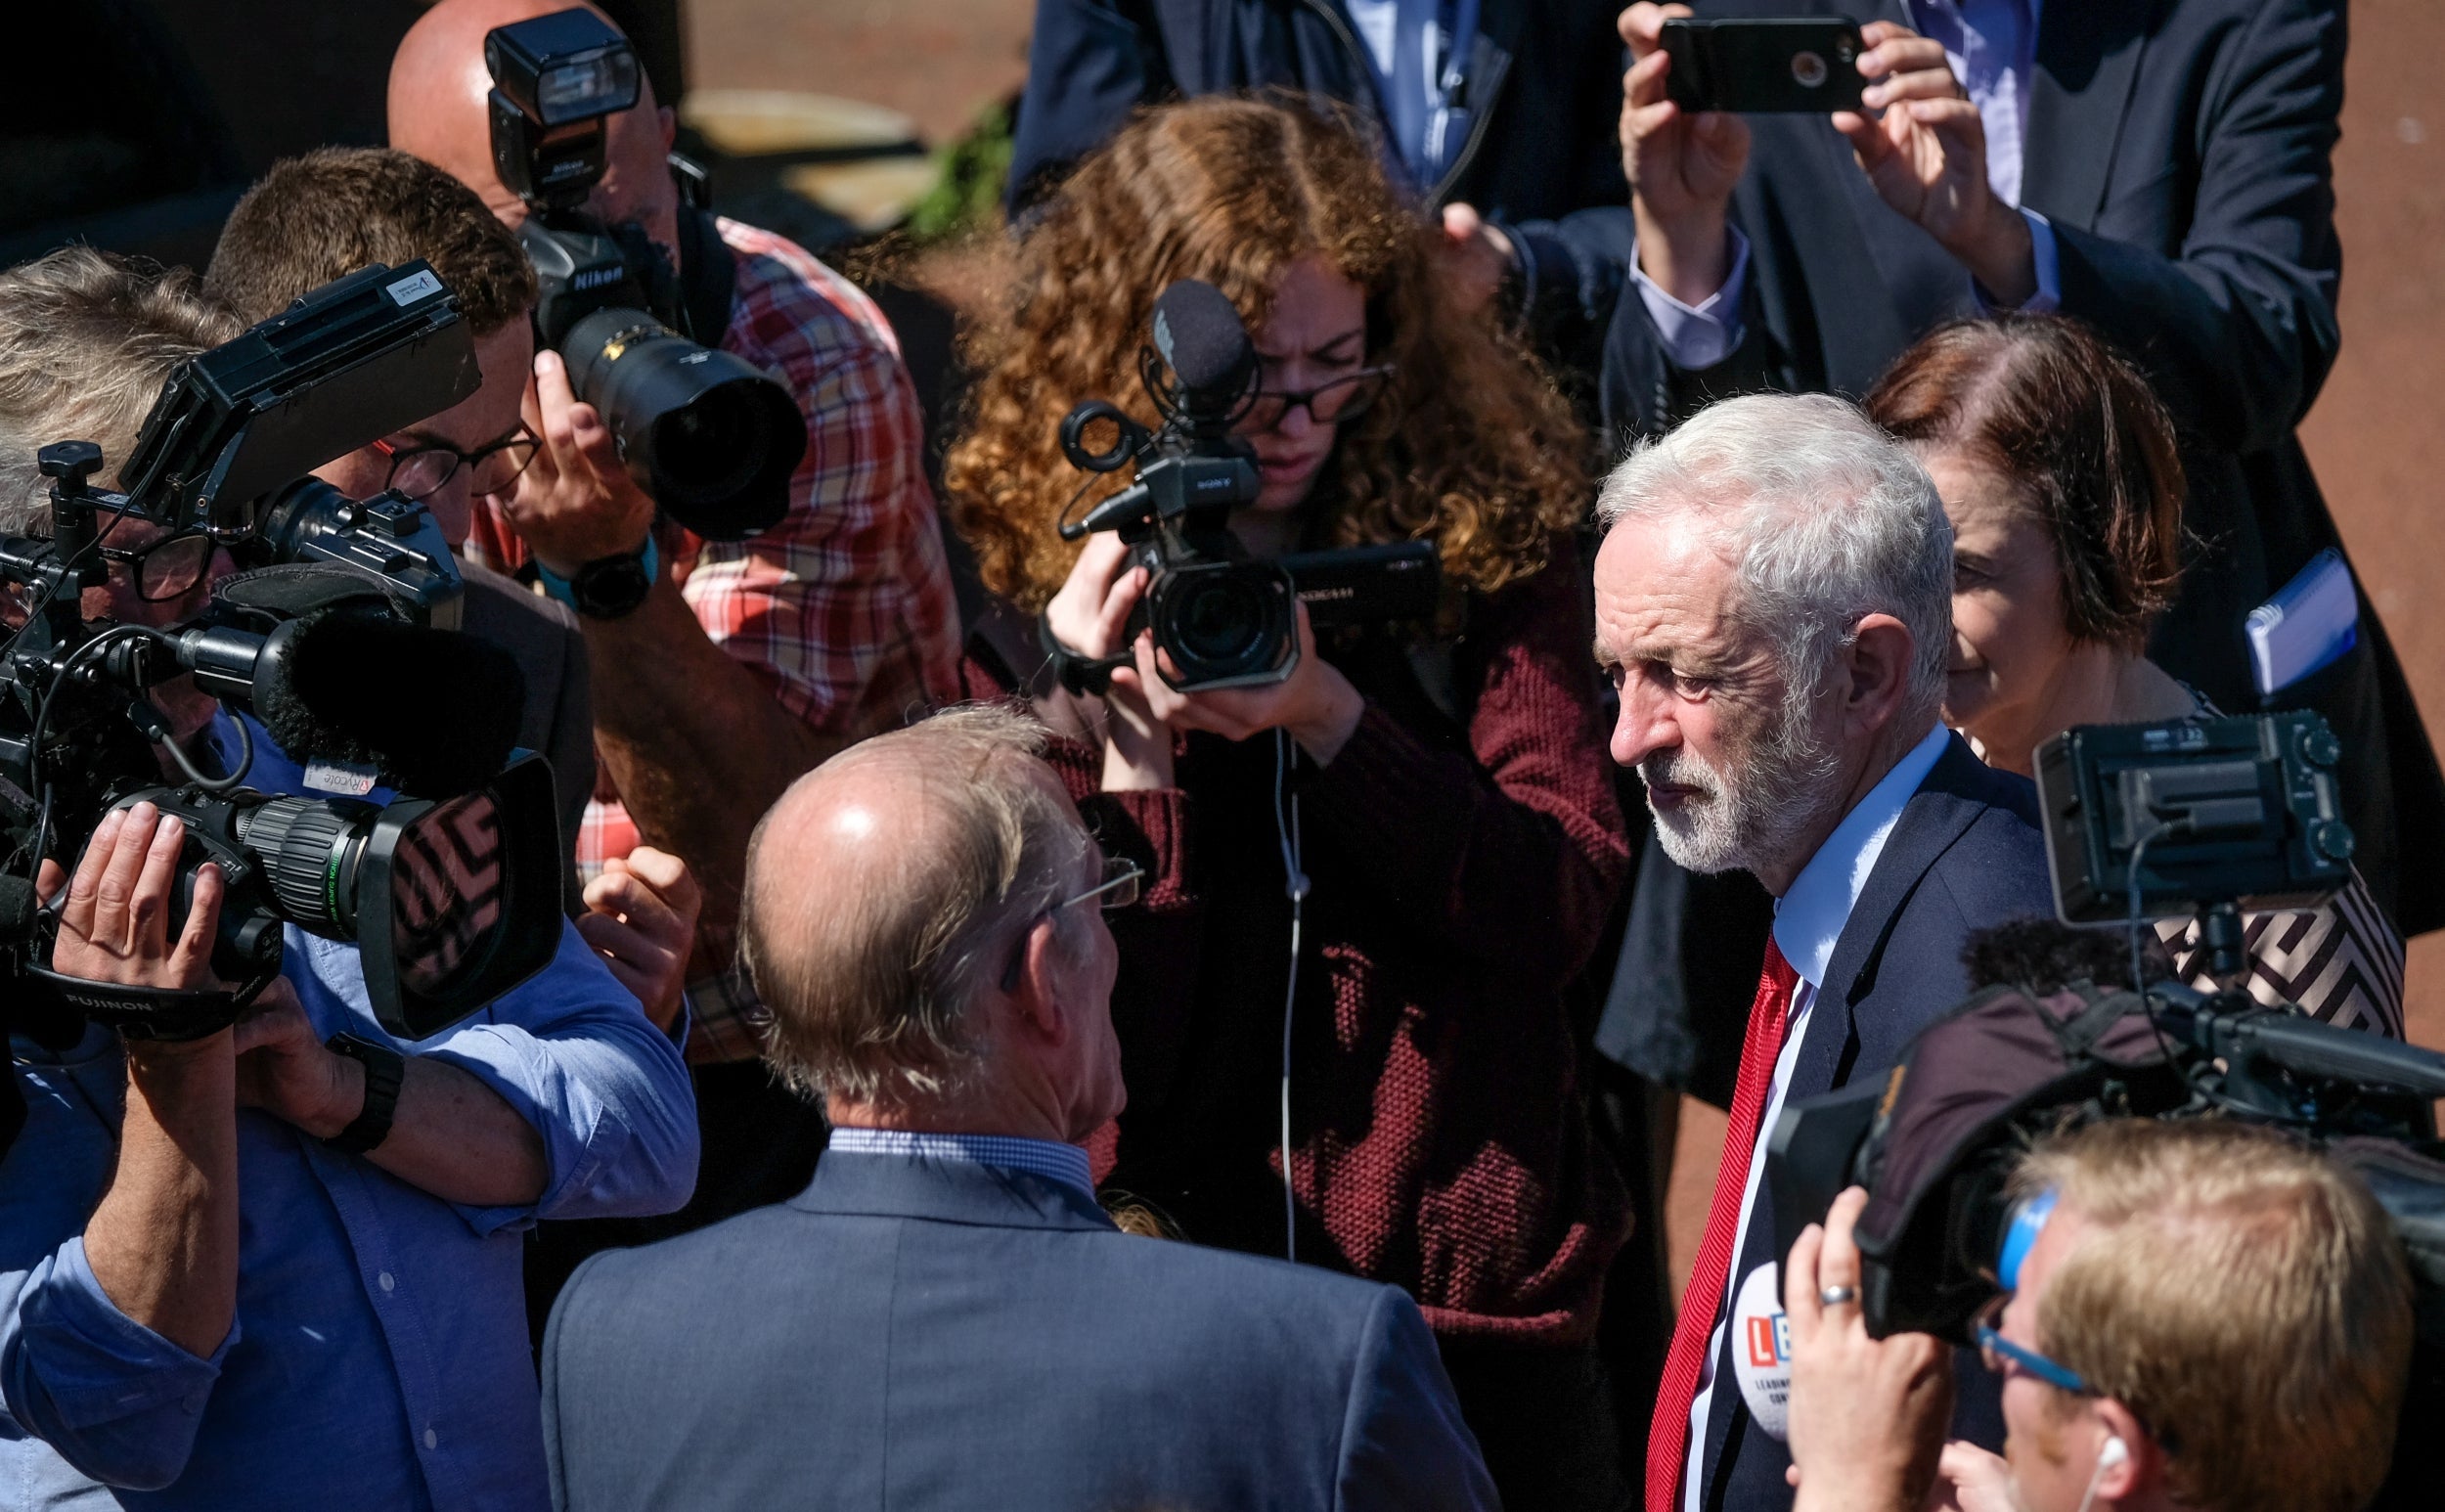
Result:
[{"x": 2182, "y": 153}]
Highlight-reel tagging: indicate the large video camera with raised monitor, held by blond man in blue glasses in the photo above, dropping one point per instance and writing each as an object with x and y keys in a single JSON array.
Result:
[{"x": 2170, "y": 821}]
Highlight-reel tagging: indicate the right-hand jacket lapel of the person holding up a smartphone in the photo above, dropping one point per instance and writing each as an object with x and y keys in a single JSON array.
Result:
[{"x": 2082, "y": 89}]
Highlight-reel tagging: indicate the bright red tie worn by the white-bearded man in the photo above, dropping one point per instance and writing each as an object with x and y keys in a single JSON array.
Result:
[{"x": 1669, "y": 1437}]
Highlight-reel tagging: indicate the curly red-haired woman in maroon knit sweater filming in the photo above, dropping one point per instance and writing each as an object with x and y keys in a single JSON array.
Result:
[{"x": 1444, "y": 789}]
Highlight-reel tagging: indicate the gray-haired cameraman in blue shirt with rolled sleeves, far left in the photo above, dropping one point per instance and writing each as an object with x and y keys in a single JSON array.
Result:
[{"x": 224, "y": 1278}]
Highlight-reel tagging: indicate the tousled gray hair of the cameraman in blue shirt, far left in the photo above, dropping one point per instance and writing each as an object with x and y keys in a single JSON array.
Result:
[{"x": 87, "y": 341}]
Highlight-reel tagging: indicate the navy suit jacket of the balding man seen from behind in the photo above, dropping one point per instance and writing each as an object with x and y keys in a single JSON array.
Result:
[{"x": 933, "y": 1335}]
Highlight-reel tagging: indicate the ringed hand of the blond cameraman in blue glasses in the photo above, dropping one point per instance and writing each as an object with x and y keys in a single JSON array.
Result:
[{"x": 1867, "y": 1415}]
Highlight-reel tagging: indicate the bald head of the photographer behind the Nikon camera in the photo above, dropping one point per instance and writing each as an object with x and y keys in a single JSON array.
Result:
[{"x": 439, "y": 111}]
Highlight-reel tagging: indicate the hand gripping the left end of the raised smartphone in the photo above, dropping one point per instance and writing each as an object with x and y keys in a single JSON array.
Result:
[{"x": 1681, "y": 168}]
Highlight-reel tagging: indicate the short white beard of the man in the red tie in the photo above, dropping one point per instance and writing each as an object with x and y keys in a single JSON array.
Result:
[{"x": 1752, "y": 813}]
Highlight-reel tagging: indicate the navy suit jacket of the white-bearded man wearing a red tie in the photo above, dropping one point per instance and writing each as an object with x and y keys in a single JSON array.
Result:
[{"x": 1965, "y": 855}]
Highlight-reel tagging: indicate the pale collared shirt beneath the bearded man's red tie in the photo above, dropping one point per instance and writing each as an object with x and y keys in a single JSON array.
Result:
[{"x": 1808, "y": 921}]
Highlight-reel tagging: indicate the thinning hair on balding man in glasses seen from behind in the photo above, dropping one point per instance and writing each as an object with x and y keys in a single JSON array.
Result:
[{"x": 874, "y": 980}]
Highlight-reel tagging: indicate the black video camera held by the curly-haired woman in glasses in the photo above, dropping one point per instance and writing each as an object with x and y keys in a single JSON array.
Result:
[{"x": 1224, "y": 618}]
